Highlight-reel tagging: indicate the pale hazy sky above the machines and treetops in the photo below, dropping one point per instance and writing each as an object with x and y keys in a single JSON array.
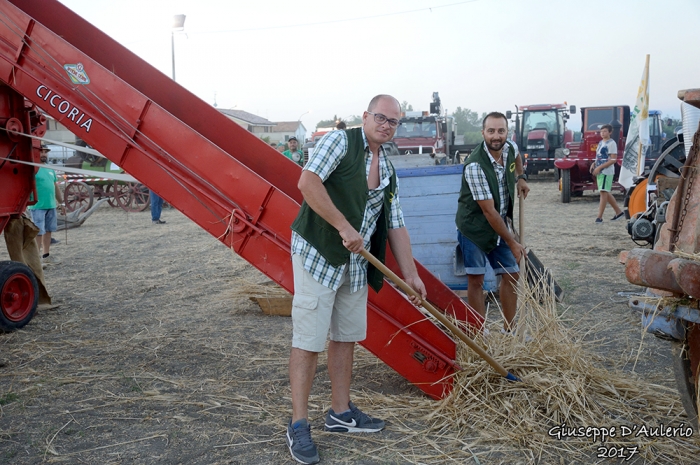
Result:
[{"x": 282, "y": 59}]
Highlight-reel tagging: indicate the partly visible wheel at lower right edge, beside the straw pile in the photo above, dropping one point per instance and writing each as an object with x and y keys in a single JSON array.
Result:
[{"x": 685, "y": 367}]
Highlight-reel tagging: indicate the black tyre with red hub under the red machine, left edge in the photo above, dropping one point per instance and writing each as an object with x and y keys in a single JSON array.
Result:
[{"x": 19, "y": 294}]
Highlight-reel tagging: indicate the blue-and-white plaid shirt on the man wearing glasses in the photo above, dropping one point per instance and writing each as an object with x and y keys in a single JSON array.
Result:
[{"x": 326, "y": 157}]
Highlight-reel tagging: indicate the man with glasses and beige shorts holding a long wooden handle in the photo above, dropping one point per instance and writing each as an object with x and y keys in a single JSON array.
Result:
[{"x": 351, "y": 203}]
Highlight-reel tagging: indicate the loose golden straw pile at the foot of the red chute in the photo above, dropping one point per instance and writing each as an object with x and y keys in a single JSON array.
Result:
[{"x": 565, "y": 390}]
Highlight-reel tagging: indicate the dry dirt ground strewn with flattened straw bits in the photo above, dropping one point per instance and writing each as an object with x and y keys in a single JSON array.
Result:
[{"x": 153, "y": 356}]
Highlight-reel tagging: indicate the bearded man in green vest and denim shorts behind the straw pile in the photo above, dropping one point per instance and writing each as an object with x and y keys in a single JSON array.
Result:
[{"x": 485, "y": 215}]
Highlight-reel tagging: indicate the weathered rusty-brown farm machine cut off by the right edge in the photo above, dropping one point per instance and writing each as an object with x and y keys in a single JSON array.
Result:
[{"x": 671, "y": 270}]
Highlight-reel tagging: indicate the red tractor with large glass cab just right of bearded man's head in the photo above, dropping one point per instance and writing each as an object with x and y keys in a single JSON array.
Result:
[{"x": 541, "y": 134}]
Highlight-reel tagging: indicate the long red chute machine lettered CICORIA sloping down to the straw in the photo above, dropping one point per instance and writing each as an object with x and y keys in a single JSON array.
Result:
[{"x": 202, "y": 163}]
